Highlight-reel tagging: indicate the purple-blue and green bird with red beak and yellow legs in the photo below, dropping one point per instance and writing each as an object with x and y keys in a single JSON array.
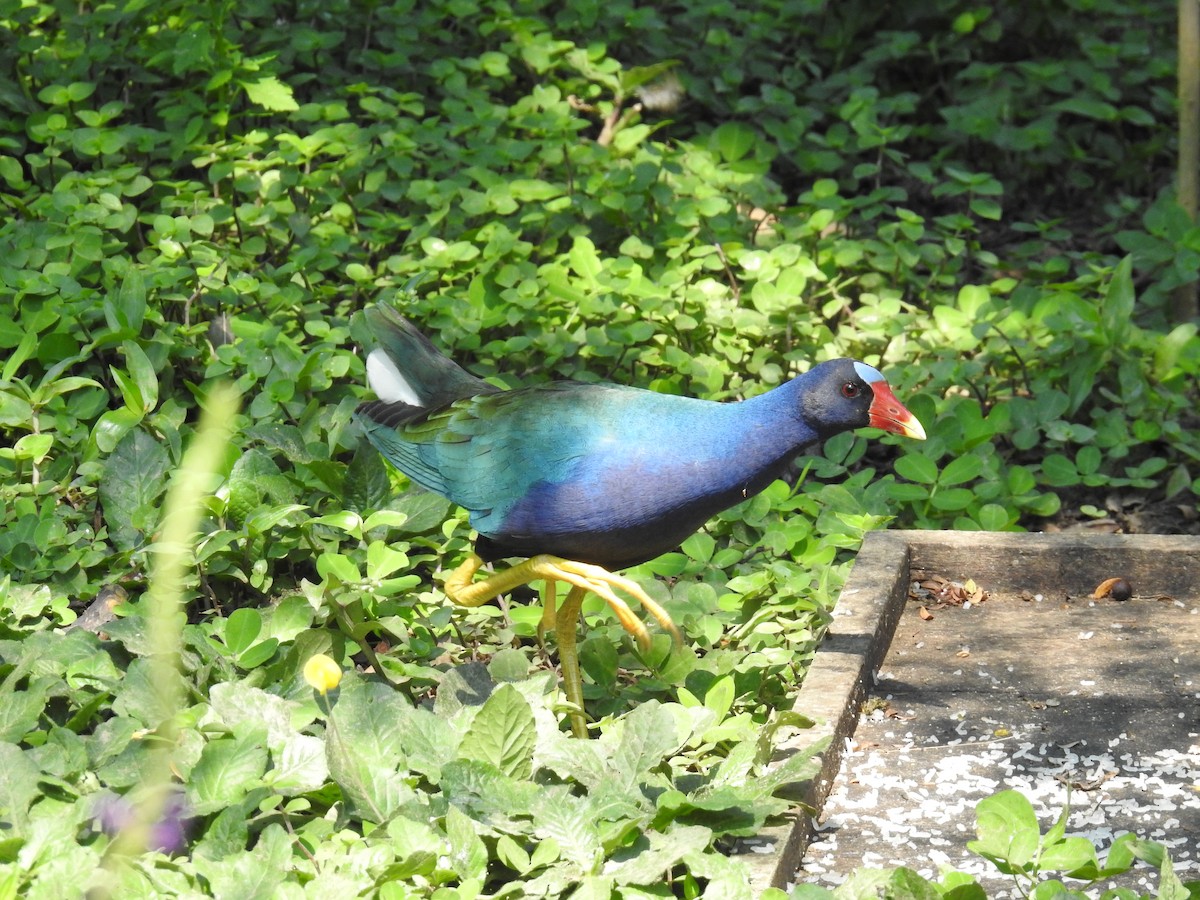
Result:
[{"x": 584, "y": 479}]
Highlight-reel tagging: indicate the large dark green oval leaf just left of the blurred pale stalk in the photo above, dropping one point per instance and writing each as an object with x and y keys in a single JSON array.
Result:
[{"x": 134, "y": 481}]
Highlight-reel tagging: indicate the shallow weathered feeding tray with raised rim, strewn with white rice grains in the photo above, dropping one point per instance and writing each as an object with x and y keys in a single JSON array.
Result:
[{"x": 1012, "y": 693}]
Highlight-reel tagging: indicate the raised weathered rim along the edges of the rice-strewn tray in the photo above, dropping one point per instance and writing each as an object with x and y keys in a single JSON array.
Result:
[{"x": 874, "y": 598}]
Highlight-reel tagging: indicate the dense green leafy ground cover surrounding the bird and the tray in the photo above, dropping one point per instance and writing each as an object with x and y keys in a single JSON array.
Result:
[{"x": 698, "y": 201}]
